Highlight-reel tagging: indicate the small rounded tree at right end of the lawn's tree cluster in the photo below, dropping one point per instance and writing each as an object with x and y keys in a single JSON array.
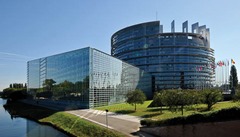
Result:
[{"x": 211, "y": 97}]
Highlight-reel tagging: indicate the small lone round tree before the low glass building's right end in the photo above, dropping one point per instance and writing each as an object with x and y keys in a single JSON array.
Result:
[{"x": 135, "y": 97}]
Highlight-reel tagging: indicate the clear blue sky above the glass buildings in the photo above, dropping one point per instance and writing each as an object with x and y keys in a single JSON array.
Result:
[{"x": 31, "y": 29}]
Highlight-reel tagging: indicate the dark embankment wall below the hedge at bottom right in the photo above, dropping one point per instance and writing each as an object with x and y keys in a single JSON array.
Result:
[{"x": 215, "y": 129}]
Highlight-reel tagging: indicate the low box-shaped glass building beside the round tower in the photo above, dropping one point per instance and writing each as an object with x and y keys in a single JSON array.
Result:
[{"x": 85, "y": 78}]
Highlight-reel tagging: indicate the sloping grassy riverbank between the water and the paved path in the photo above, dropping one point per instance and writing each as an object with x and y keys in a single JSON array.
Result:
[{"x": 65, "y": 122}]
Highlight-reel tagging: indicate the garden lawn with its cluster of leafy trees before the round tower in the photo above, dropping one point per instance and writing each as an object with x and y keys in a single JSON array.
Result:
[{"x": 204, "y": 106}]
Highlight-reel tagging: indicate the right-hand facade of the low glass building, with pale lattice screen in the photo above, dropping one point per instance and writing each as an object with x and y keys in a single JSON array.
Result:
[{"x": 111, "y": 79}]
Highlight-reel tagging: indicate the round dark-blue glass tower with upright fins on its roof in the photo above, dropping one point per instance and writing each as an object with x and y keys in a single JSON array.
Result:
[{"x": 175, "y": 59}]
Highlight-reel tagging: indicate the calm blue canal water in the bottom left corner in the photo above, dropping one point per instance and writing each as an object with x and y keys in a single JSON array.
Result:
[{"x": 21, "y": 127}]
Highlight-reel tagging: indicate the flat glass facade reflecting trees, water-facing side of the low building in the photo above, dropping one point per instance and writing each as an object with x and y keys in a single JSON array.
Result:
[{"x": 63, "y": 77}]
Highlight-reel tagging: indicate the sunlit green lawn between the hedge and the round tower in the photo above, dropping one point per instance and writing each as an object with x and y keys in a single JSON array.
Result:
[{"x": 154, "y": 113}]
